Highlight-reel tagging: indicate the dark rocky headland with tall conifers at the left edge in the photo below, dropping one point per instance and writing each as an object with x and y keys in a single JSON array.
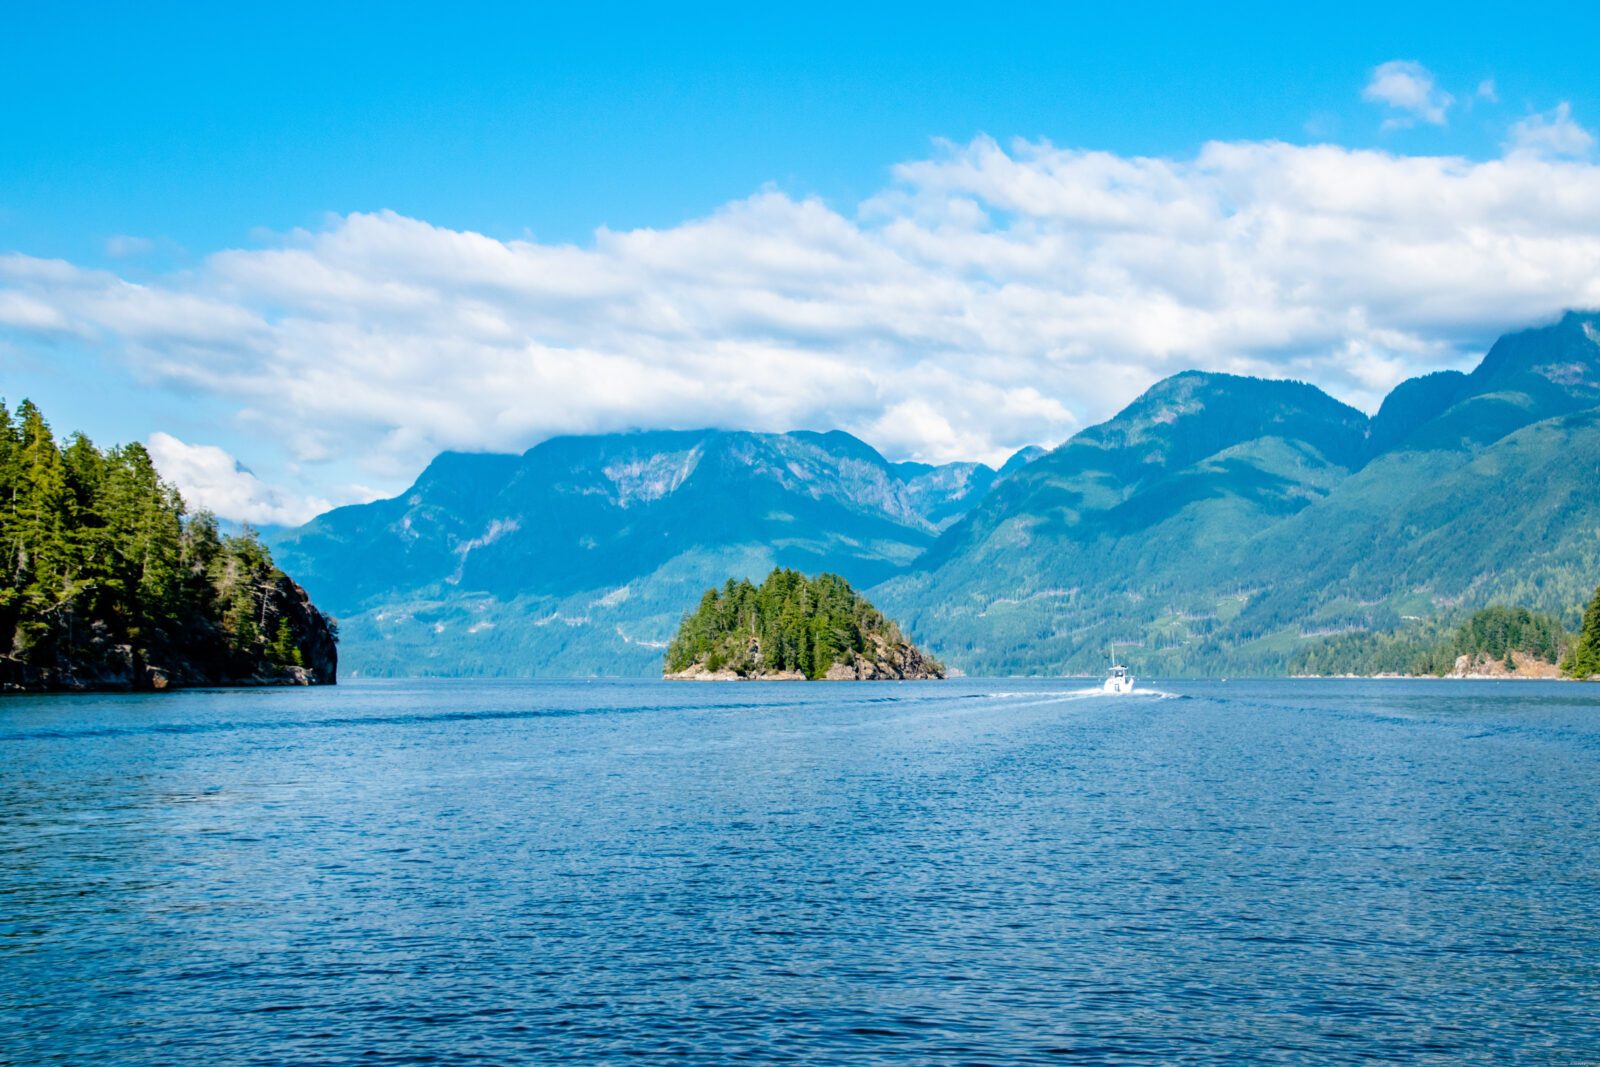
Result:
[{"x": 106, "y": 583}]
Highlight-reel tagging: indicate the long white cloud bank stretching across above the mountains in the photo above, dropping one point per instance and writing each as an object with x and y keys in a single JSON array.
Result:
[{"x": 988, "y": 298}]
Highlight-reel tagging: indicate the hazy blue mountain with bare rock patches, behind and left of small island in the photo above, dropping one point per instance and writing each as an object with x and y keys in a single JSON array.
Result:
[{"x": 582, "y": 556}]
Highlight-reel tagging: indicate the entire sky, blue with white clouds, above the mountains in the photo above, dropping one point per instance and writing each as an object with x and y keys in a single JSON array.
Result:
[{"x": 159, "y": 151}]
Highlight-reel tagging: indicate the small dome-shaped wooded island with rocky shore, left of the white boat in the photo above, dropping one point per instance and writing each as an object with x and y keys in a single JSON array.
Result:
[{"x": 793, "y": 628}]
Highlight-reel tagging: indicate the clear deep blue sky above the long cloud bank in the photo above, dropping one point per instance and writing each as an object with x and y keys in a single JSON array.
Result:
[{"x": 150, "y": 121}]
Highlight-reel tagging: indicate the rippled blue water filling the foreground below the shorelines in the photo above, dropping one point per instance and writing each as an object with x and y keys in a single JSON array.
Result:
[{"x": 927, "y": 873}]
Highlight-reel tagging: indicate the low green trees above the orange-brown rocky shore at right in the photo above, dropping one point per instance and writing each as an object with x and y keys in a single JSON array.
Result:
[{"x": 1495, "y": 633}]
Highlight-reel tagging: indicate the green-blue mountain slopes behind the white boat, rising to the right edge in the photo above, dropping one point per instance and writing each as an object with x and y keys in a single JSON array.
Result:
[{"x": 1220, "y": 522}]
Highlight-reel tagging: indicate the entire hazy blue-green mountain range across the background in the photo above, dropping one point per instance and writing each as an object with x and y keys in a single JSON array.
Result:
[{"x": 1218, "y": 524}]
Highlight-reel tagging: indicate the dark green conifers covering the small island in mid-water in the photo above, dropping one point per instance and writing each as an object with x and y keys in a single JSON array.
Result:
[{"x": 790, "y": 623}]
